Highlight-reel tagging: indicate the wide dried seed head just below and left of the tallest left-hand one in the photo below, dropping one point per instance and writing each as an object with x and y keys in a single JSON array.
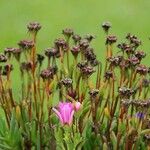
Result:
[{"x": 26, "y": 44}]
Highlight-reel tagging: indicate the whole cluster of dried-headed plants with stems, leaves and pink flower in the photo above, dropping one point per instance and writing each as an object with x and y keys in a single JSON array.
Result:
[{"x": 70, "y": 100}]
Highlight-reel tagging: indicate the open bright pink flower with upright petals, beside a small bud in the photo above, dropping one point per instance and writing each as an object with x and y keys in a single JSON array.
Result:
[{"x": 65, "y": 112}]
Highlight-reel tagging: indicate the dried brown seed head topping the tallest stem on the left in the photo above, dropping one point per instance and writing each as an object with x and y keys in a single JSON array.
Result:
[{"x": 33, "y": 27}]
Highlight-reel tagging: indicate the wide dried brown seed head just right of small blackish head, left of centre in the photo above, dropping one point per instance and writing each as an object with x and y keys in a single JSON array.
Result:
[{"x": 51, "y": 52}]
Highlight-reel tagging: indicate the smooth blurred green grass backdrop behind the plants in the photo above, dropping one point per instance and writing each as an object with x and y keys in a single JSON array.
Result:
[{"x": 84, "y": 16}]
